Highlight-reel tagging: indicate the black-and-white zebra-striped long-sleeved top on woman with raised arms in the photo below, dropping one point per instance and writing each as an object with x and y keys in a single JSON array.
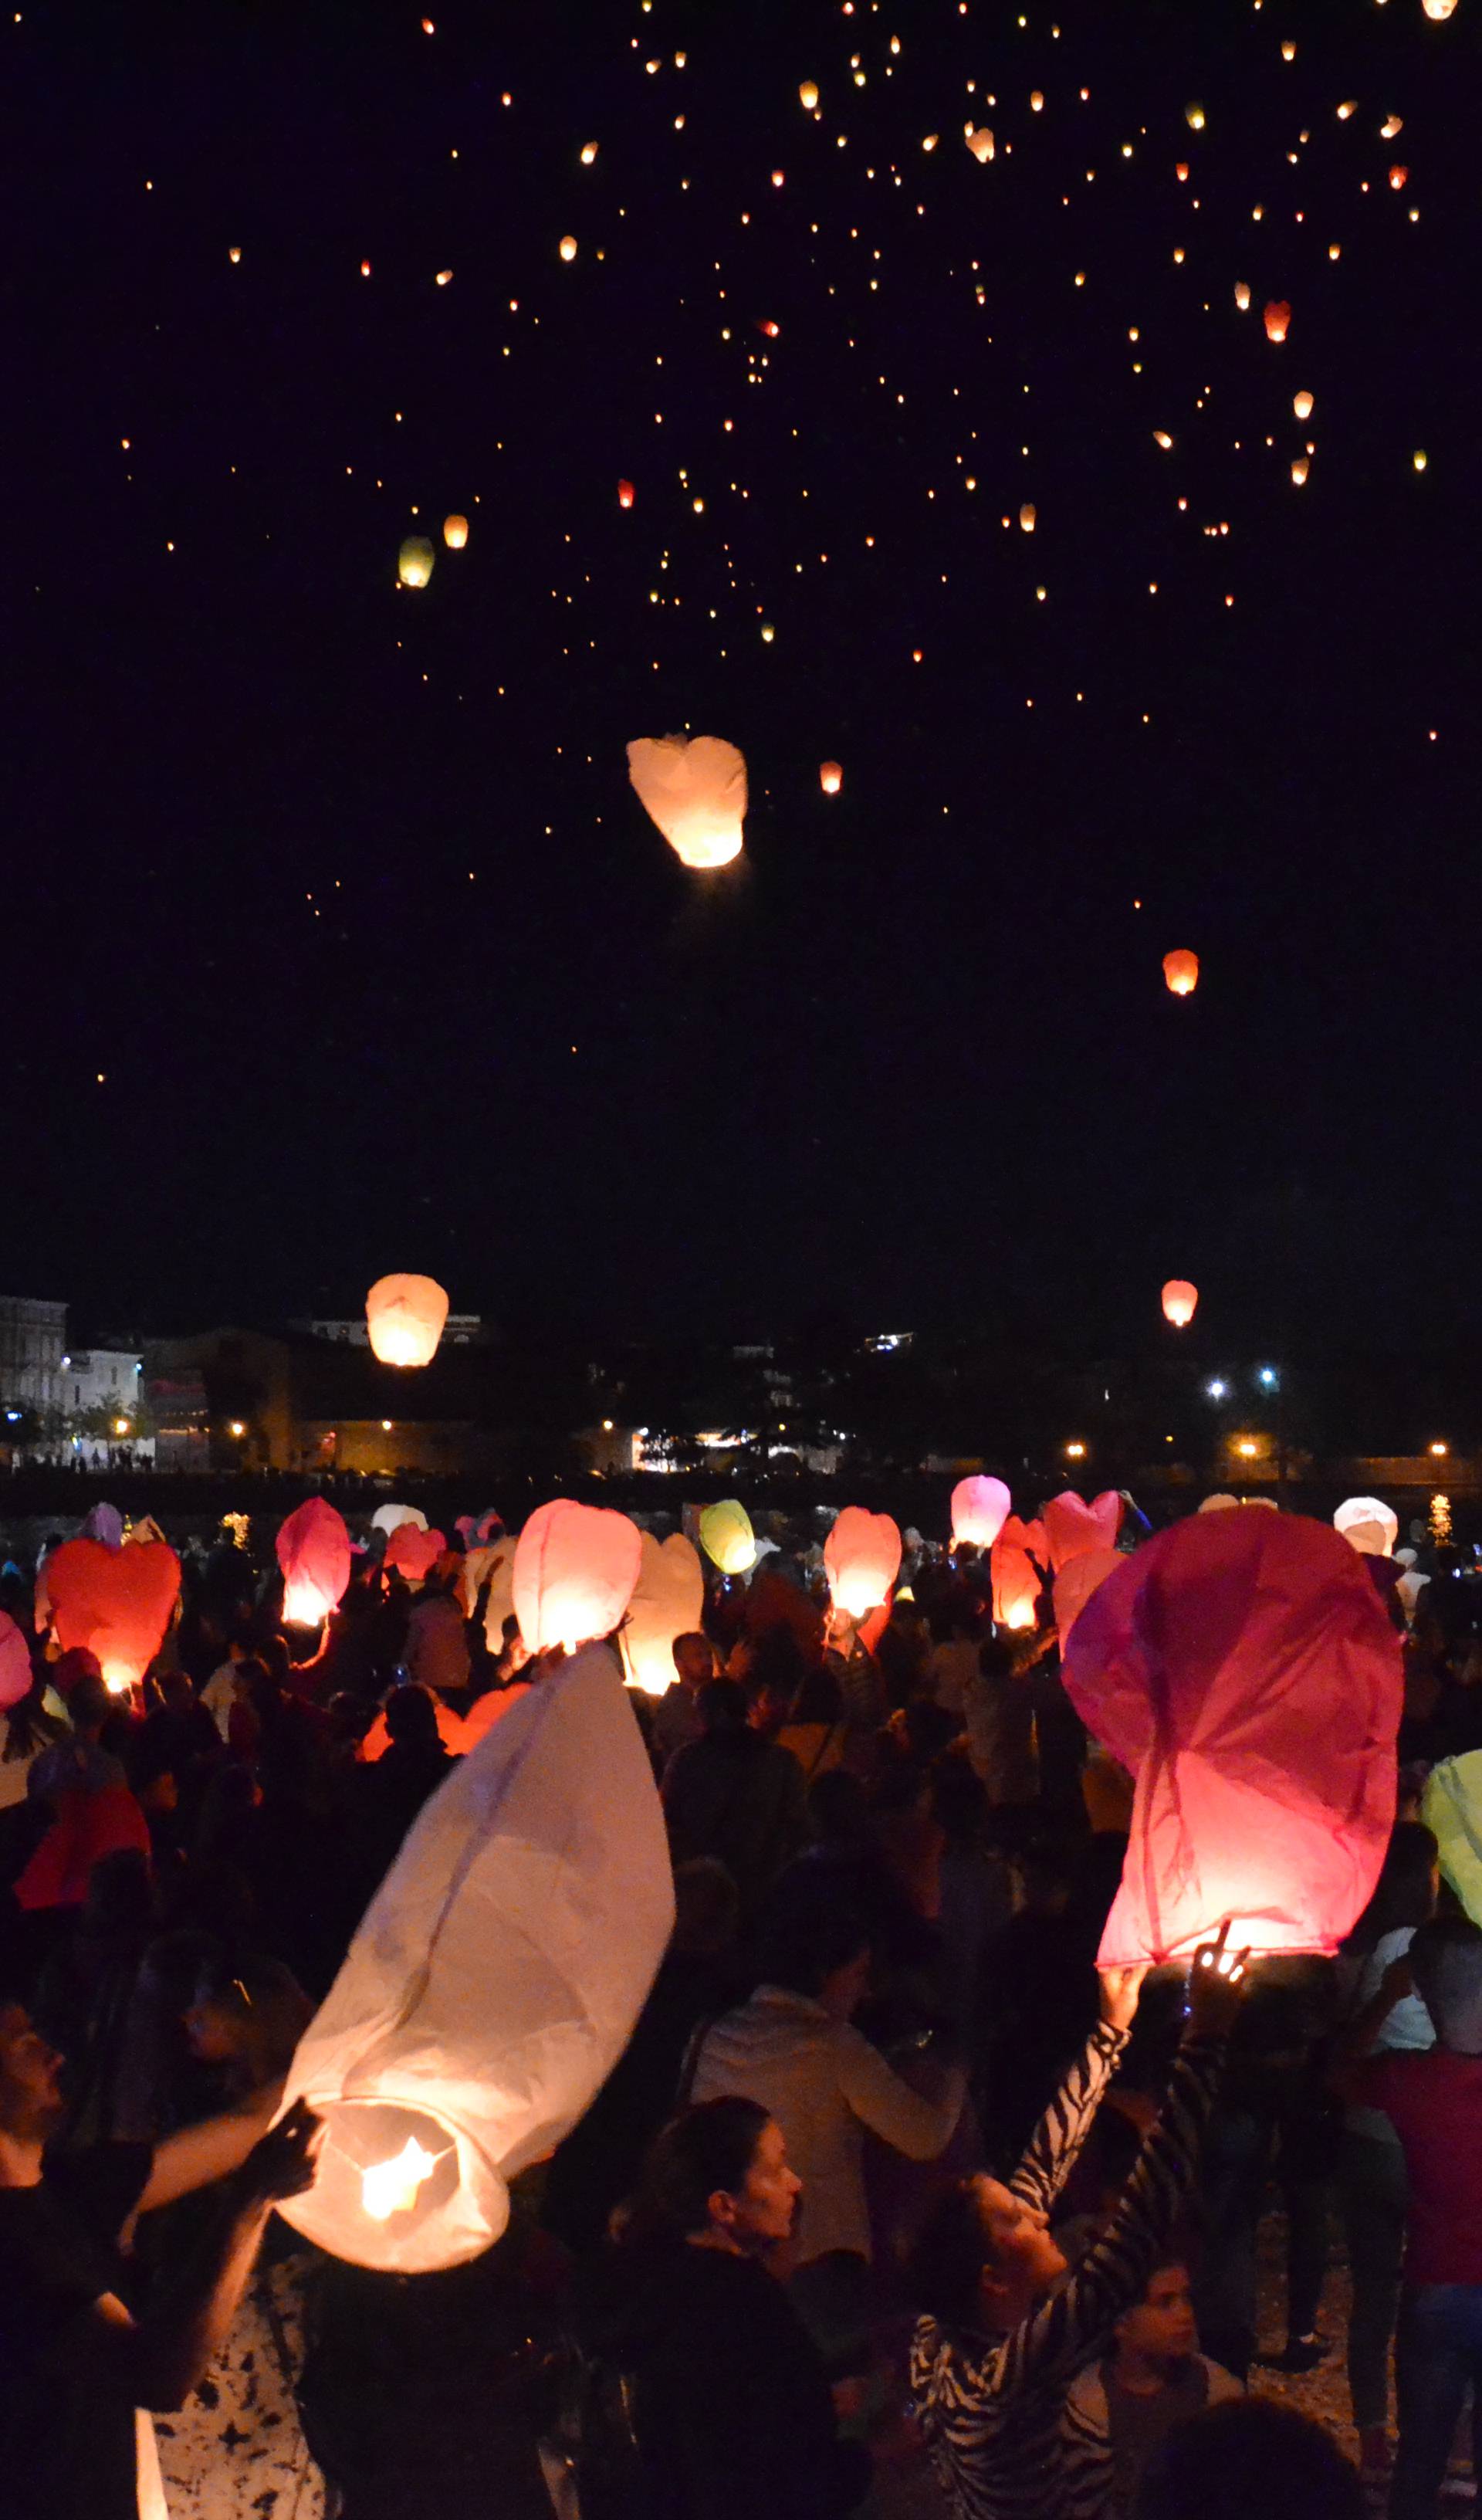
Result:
[{"x": 992, "y": 2408}]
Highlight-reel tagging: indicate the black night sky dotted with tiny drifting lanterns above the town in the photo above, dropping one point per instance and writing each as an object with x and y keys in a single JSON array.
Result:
[{"x": 344, "y": 891}]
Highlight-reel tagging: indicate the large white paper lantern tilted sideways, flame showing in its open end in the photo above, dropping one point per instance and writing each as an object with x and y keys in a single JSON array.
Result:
[{"x": 493, "y": 1982}]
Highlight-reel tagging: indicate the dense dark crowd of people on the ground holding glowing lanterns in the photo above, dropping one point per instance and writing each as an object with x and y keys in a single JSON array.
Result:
[{"x": 893, "y": 2204}]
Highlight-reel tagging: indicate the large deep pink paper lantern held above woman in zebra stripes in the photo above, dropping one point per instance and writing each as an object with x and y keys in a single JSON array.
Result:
[{"x": 1246, "y": 1675}]
